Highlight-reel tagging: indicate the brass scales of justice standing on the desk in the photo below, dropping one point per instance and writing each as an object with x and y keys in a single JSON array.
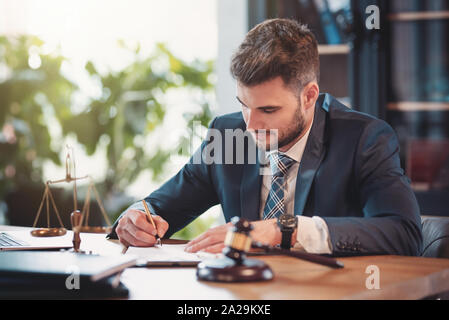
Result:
[{"x": 79, "y": 220}]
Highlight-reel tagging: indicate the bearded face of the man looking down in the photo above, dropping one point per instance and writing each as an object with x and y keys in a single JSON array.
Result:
[{"x": 272, "y": 106}]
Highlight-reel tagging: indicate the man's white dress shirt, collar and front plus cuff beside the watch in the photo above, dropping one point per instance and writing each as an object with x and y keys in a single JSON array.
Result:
[{"x": 313, "y": 233}]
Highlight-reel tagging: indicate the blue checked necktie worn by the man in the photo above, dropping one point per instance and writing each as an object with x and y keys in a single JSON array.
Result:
[{"x": 275, "y": 206}]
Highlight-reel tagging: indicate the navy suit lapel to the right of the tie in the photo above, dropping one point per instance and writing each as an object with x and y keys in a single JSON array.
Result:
[{"x": 313, "y": 154}]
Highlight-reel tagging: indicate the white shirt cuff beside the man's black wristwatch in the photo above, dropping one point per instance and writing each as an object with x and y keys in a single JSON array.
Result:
[{"x": 313, "y": 235}]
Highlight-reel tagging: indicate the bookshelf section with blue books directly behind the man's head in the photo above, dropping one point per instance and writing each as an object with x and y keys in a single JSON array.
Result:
[{"x": 331, "y": 26}]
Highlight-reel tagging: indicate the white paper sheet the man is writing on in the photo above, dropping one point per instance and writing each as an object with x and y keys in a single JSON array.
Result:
[{"x": 169, "y": 254}]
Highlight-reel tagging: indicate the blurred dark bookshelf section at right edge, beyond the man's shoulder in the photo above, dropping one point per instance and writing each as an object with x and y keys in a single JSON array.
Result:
[{"x": 418, "y": 97}]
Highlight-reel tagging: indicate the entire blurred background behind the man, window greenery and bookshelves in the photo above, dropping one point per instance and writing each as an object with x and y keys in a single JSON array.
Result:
[{"x": 132, "y": 86}]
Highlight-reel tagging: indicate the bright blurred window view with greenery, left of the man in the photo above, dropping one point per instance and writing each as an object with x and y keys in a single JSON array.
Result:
[{"x": 123, "y": 83}]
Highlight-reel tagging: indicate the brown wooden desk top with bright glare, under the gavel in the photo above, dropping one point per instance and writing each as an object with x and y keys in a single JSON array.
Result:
[{"x": 400, "y": 278}]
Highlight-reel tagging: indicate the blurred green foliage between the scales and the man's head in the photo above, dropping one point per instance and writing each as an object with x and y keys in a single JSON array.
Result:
[{"x": 131, "y": 109}]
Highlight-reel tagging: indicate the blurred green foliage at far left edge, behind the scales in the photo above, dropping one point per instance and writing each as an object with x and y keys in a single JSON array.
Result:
[{"x": 33, "y": 93}]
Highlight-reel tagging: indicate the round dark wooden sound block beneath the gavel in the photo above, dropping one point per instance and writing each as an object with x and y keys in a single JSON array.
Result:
[{"x": 228, "y": 270}]
